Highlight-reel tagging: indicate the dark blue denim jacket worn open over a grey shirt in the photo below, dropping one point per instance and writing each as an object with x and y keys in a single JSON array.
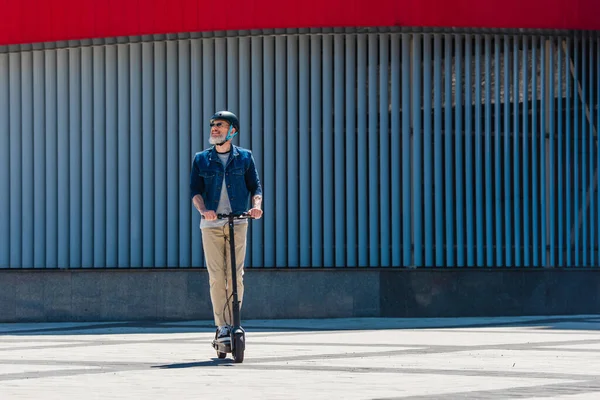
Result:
[{"x": 241, "y": 178}]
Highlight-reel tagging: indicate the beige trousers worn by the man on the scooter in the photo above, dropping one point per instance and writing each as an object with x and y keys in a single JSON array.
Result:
[{"x": 215, "y": 242}]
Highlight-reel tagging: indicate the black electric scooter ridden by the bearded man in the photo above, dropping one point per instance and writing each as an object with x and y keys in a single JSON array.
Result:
[{"x": 237, "y": 345}]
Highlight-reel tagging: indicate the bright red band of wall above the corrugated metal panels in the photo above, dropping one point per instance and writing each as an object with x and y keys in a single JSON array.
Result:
[{"x": 29, "y": 21}]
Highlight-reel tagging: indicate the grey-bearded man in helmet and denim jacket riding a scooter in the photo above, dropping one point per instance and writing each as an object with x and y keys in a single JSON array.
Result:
[{"x": 222, "y": 180}]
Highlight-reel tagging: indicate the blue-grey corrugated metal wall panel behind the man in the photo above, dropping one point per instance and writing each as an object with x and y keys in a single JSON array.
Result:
[{"x": 375, "y": 149}]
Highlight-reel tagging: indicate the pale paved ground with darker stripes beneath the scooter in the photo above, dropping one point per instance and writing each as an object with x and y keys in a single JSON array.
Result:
[{"x": 475, "y": 358}]
